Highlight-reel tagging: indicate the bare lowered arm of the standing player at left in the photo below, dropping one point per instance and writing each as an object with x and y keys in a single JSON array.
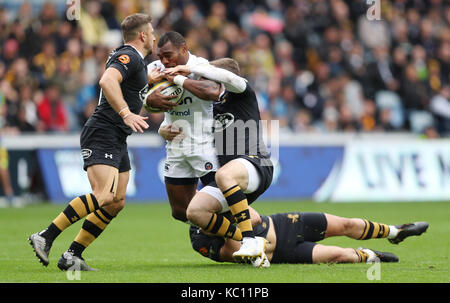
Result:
[{"x": 110, "y": 84}]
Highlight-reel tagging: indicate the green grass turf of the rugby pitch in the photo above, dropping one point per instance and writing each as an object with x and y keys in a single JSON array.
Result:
[{"x": 144, "y": 244}]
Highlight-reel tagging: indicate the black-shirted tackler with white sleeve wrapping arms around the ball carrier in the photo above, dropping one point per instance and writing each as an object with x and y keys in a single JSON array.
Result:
[{"x": 246, "y": 169}]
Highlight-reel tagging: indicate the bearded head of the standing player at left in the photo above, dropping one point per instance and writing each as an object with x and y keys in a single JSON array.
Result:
[{"x": 138, "y": 28}]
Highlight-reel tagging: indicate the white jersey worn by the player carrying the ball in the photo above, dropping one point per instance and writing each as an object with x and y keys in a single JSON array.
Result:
[{"x": 193, "y": 114}]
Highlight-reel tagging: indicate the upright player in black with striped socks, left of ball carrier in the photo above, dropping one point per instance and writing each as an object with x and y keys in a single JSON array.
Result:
[{"x": 124, "y": 85}]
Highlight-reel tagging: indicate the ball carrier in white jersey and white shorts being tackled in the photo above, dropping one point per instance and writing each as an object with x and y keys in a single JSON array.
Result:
[{"x": 194, "y": 157}]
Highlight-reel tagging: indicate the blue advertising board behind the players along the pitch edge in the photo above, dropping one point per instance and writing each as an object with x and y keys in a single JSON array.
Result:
[{"x": 299, "y": 172}]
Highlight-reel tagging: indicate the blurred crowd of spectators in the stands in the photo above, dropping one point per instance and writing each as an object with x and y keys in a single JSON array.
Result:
[{"x": 316, "y": 65}]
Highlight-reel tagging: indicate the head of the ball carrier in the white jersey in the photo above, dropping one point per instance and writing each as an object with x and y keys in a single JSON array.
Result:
[{"x": 172, "y": 49}]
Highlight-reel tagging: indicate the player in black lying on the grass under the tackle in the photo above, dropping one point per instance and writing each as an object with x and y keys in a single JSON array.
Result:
[{"x": 292, "y": 238}]
